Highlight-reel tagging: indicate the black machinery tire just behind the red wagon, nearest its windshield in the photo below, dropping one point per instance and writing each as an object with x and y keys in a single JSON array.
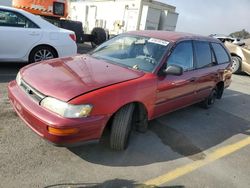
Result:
[{"x": 99, "y": 36}]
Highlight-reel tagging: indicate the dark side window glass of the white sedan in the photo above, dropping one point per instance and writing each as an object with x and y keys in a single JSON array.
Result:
[{"x": 11, "y": 19}]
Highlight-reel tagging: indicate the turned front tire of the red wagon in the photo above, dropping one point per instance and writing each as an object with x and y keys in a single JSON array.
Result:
[{"x": 121, "y": 128}]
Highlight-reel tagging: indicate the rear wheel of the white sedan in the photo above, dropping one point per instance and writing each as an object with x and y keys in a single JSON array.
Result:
[{"x": 39, "y": 51}]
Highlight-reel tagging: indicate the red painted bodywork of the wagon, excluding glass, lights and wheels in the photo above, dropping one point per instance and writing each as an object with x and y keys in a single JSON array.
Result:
[{"x": 108, "y": 87}]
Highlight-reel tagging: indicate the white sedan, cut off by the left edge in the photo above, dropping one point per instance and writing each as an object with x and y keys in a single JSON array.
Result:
[{"x": 29, "y": 38}]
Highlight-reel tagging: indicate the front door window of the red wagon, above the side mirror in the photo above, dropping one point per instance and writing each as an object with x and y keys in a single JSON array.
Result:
[{"x": 182, "y": 56}]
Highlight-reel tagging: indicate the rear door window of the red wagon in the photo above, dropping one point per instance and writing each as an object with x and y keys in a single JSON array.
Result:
[{"x": 203, "y": 54}]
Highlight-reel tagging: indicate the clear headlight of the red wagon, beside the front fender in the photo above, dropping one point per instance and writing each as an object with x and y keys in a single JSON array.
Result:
[{"x": 66, "y": 110}]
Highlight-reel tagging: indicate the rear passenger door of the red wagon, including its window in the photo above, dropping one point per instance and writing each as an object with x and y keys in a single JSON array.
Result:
[{"x": 206, "y": 71}]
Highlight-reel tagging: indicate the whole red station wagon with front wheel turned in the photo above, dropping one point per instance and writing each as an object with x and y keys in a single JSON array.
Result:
[{"x": 125, "y": 82}]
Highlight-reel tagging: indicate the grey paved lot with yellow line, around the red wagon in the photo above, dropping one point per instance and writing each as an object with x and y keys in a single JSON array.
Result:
[{"x": 192, "y": 147}]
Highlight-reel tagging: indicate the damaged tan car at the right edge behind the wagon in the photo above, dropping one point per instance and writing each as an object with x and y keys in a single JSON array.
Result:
[{"x": 240, "y": 58}]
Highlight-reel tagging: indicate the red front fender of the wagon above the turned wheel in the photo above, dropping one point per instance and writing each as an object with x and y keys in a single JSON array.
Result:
[{"x": 108, "y": 100}]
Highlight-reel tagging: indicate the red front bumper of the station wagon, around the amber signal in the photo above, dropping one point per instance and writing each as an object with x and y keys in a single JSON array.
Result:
[{"x": 39, "y": 119}]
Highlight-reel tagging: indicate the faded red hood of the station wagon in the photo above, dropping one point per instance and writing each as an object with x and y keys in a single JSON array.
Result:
[{"x": 67, "y": 78}]
